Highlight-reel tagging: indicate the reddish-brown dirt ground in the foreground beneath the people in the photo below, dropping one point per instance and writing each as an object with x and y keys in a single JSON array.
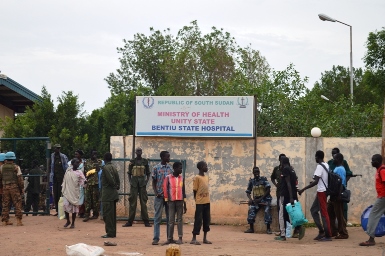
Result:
[{"x": 45, "y": 235}]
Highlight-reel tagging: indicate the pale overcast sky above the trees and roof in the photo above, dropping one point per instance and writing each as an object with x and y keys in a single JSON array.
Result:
[{"x": 71, "y": 45}]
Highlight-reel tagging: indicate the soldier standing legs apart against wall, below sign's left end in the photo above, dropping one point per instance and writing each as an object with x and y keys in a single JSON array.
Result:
[{"x": 138, "y": 177}]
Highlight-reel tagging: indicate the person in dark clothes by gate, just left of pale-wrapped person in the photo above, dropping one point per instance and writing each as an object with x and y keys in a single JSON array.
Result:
[{"x": 59, "y": 165}]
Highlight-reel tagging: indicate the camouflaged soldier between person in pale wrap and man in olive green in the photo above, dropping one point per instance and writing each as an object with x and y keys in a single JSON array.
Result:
[{"x": 92, "y": 191}]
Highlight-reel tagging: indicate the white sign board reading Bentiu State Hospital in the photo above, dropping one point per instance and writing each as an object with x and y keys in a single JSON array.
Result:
[{"x": 189, "y": 116}]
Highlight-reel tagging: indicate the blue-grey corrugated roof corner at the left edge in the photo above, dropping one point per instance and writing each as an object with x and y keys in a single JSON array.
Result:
[{"x": 15, "y": 96}]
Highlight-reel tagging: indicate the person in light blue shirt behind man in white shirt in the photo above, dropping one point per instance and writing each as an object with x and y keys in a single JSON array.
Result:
[{"x": 335, "y": 205}]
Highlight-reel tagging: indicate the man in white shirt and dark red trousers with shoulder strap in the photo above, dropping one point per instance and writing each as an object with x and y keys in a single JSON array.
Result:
[{"x": 320, "y": 202}]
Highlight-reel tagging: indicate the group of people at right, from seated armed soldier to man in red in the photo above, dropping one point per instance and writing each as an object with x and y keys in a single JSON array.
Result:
[{"x": 328, "y": 212}]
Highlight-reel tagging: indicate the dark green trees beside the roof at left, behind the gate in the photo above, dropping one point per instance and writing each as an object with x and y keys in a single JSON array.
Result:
[{"x": 64, "y": 125}]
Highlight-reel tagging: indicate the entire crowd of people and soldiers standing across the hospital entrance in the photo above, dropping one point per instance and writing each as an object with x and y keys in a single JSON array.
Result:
[{"x": 83, "y": 186}]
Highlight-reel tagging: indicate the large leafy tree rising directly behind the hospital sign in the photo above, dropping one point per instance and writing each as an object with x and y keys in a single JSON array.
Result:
[{"x": 190, "y": 63}]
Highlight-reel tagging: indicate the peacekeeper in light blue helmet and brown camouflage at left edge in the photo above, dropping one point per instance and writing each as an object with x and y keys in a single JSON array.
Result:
[{"x": 12, "y": 184}]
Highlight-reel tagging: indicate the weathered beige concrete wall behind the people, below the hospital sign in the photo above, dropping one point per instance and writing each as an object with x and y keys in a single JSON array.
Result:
[{"x": 230, "y": 163}]
